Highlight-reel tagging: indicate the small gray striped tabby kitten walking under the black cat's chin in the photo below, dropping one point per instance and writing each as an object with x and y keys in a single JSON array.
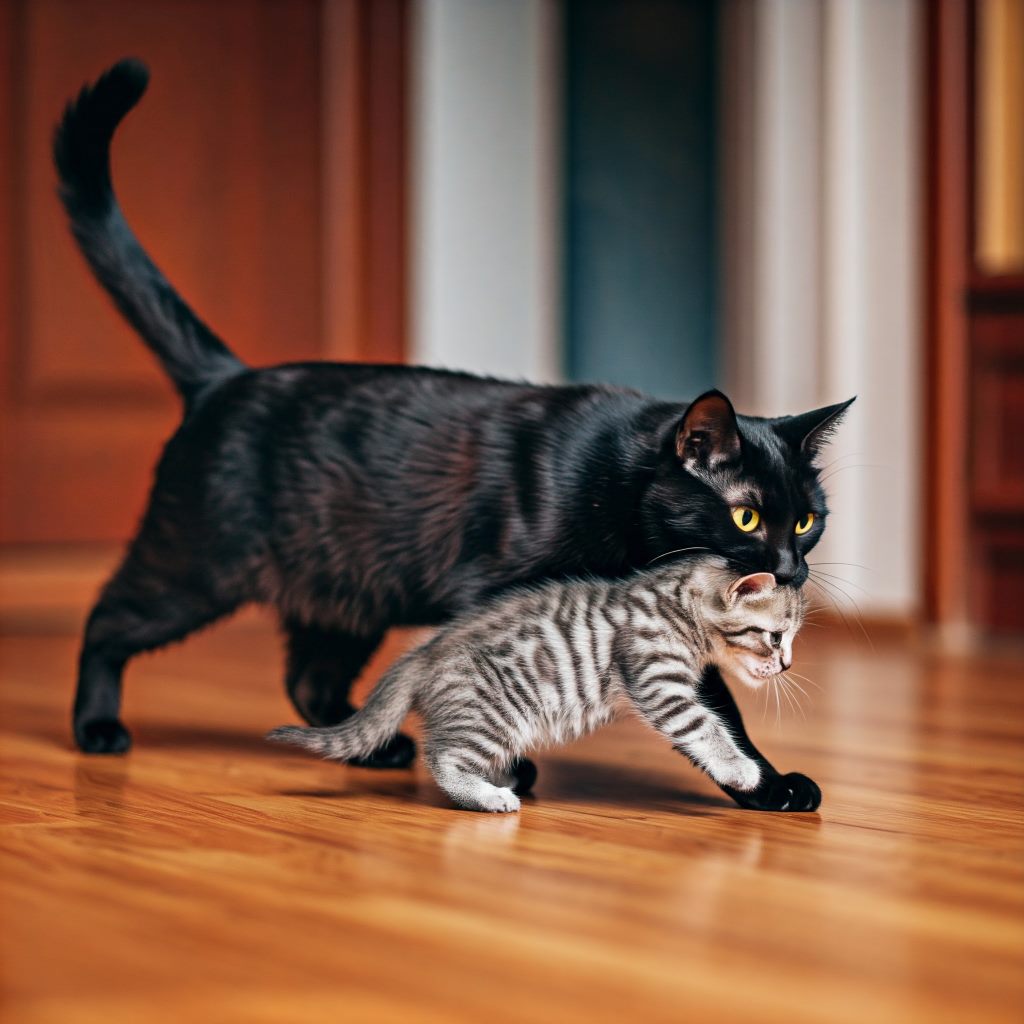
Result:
[{"x": 547, "y": 665}]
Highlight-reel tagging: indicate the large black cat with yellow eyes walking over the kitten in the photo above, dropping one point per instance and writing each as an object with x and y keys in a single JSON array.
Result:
[{"x": 357, "y": 498}]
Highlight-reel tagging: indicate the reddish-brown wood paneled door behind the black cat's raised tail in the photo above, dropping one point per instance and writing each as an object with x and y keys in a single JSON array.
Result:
[{"x": 250, "y": 174}]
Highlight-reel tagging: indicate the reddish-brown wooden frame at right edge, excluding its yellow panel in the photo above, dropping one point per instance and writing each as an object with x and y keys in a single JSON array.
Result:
[{"x": 974, "y": 553}]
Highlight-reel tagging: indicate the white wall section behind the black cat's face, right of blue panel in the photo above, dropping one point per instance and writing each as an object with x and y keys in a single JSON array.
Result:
[{"x": 822, "y": 259}]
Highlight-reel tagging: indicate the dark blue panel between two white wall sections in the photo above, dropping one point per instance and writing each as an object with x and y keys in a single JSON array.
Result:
[{"x": 642, "y": 253}]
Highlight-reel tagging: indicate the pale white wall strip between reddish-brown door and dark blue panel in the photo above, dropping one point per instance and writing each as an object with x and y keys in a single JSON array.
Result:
[{"x": 486, "y": 215}]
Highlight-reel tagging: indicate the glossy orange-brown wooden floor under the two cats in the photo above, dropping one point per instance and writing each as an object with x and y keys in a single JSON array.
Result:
[{"x": 209, "y": 877}]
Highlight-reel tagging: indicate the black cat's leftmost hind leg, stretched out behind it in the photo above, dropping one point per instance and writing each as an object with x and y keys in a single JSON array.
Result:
[{"x": 139, "y": 611}]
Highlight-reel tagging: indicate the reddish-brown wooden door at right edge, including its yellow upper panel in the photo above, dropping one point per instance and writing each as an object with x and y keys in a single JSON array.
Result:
[{"x": 975, "y": 242}]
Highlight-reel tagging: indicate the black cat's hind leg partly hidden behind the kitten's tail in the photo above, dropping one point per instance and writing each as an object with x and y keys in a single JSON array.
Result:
[{"x": 322, "y": 667}]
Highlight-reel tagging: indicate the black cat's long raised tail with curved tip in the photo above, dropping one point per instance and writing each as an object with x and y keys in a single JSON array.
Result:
[{"x": 193, "y": 356}]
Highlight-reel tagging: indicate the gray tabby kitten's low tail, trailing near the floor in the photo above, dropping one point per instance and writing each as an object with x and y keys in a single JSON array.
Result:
[{"x": 374, "y": 726}]
